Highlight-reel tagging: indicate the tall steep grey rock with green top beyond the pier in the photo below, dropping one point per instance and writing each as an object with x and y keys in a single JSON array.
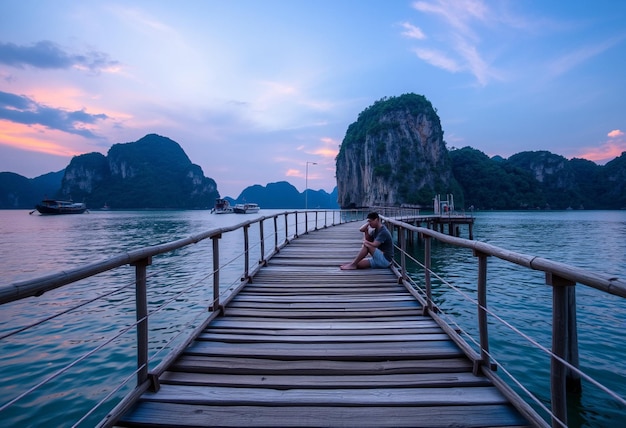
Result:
[{"x": 394, "y": 154}]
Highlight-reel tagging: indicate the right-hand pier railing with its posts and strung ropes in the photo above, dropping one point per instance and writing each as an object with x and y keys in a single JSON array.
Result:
[{"x": 565, "y": 374}]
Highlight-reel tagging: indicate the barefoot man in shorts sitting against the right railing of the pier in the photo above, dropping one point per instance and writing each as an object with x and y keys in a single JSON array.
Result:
[{"x": 379, "y": 249}]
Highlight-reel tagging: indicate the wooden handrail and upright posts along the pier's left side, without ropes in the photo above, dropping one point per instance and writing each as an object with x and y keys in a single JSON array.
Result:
[{"x": 292, "y": 223}]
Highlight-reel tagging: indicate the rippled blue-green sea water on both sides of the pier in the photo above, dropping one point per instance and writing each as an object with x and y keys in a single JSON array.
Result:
[{"x": 33, "y": 245}]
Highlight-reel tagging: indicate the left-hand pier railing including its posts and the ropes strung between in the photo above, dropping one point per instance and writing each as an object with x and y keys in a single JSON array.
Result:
[{"x": 293, "y": 224}]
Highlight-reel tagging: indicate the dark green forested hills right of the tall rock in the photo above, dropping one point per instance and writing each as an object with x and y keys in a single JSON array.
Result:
[{"x": 538, "y": 180}]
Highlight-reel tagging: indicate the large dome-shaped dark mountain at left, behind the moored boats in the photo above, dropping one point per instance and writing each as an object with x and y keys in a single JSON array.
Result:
[{"x": 153, "y": 172}]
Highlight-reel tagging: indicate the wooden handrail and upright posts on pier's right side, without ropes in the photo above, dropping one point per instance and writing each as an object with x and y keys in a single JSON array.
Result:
[{"x": 564, "y": 370}]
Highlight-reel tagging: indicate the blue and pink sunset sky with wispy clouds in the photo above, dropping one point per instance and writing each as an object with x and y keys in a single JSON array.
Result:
[{"x": 262, "y": 91}]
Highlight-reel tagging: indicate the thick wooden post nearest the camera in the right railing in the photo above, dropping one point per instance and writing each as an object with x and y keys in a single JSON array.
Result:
[{"x": 560, "y": 342}]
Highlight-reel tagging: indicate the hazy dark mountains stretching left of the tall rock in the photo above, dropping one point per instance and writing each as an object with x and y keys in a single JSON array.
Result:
[{"x": 153, "y": 172}]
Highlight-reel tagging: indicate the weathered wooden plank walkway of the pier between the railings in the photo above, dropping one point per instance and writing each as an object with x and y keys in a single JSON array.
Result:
[{"x": 309, "y": 345}]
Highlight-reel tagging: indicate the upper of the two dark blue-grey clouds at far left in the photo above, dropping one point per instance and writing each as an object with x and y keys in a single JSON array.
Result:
[{"x": 48, "y": 55}]
